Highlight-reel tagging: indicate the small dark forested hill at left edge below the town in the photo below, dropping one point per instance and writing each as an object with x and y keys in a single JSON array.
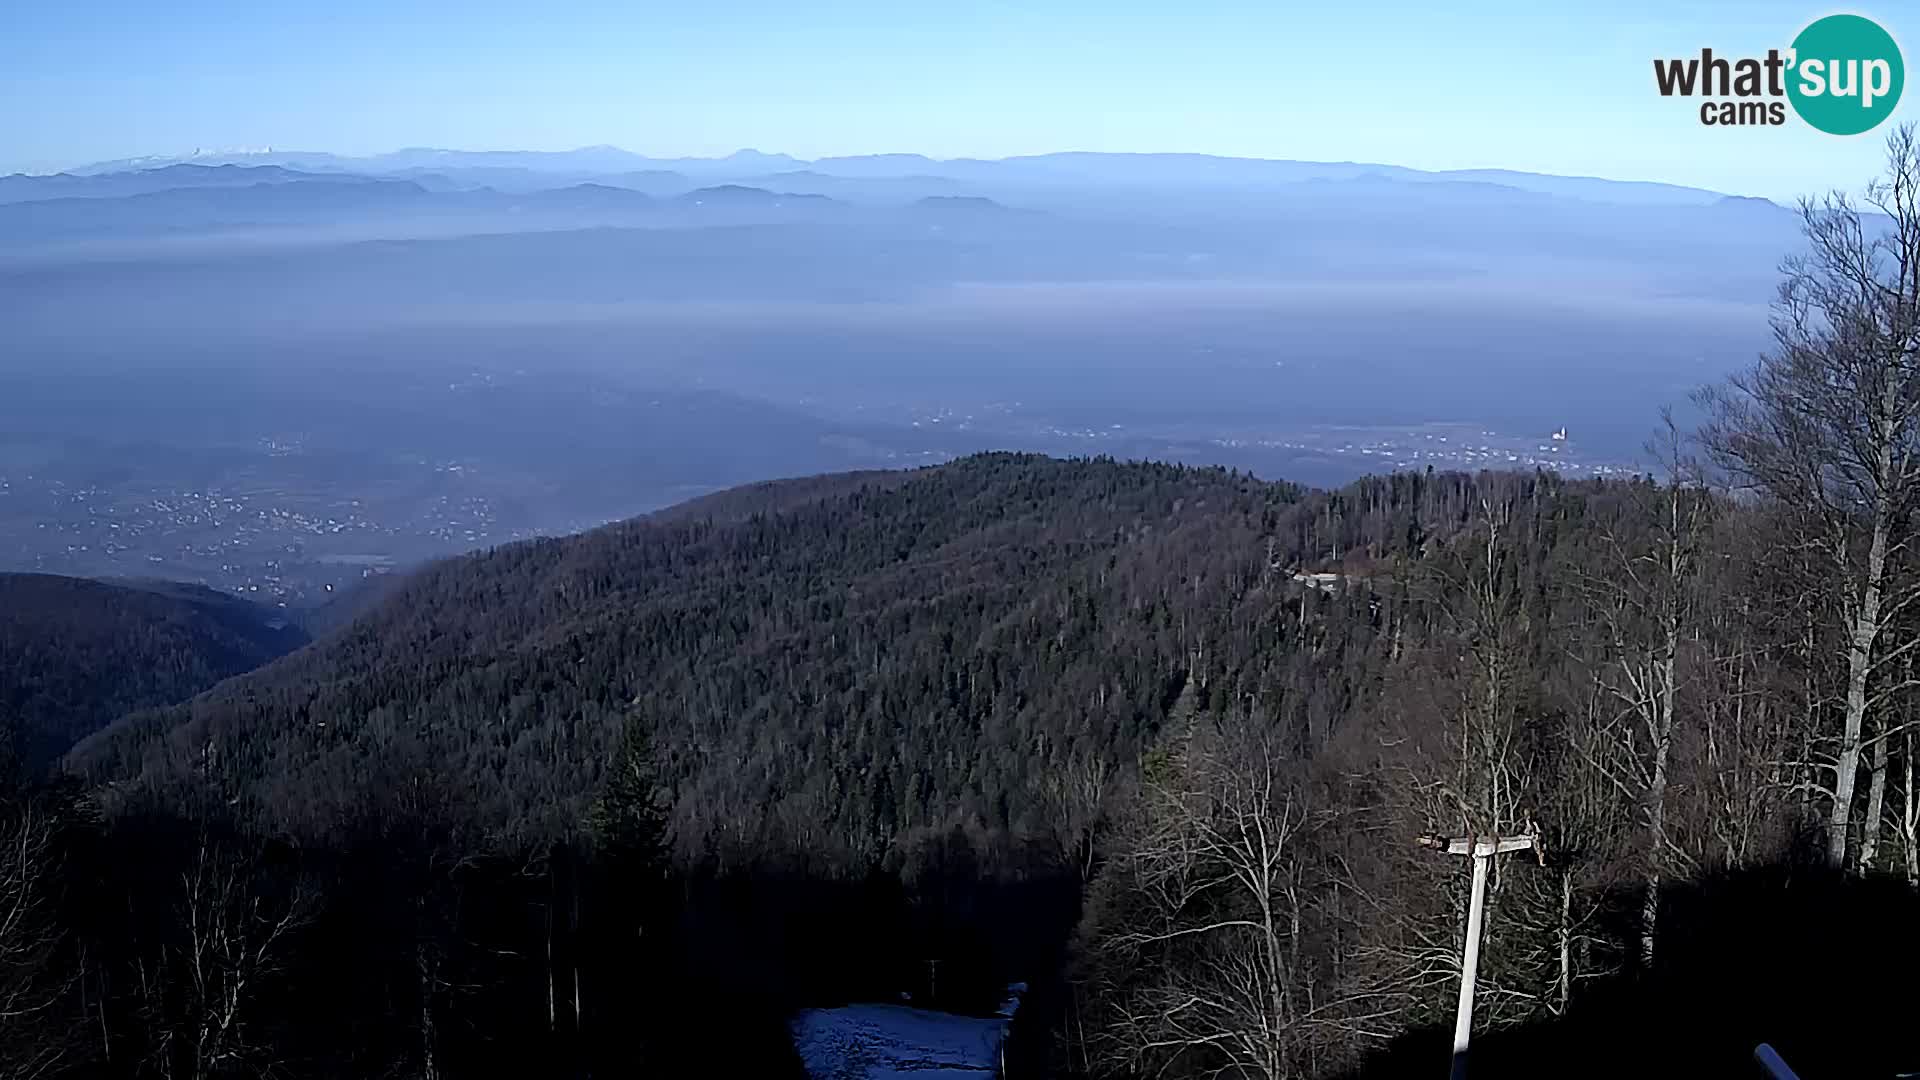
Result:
[{"x": 78, "y": 654}]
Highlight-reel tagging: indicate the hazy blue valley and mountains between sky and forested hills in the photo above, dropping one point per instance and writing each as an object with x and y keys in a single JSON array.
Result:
[{"x": 283, "y": 372}]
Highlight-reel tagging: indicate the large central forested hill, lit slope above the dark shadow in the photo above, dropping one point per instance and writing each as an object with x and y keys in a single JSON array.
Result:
[{"x": 823, "y": 664}]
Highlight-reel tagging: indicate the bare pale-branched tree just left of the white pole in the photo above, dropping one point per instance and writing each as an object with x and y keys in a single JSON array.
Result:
[{"x": 1209, "y": 906}]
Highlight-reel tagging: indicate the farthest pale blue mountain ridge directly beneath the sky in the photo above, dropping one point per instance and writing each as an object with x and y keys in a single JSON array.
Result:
[{"x": 496, "y": 168}]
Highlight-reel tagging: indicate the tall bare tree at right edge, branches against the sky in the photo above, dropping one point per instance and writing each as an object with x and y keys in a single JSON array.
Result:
[{"x": 1827, "y": 426}]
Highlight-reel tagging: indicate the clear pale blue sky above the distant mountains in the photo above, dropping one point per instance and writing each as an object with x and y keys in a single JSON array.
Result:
[{"x": 1541, "y": 87}]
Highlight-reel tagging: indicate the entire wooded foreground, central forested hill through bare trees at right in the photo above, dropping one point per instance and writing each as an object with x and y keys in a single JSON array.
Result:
[{"x": 1155, "y": 741}]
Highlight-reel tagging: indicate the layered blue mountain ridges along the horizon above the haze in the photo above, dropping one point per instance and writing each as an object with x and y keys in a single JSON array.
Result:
[{"x": 421, "y": 193}]
